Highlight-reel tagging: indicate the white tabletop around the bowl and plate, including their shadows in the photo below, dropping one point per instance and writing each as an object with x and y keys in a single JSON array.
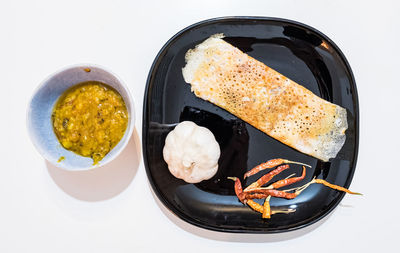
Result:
[{"x": 112, "y": 209}]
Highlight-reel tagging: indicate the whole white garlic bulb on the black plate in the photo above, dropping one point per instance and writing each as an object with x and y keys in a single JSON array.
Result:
[{"x": 191, "y": 152}]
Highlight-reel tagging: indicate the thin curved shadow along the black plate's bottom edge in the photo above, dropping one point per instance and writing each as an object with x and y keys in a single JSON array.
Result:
[{"x": 237, "y": 237}]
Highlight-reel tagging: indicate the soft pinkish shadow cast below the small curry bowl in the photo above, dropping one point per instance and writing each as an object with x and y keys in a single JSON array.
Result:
[{"x": 103, "y": 182}]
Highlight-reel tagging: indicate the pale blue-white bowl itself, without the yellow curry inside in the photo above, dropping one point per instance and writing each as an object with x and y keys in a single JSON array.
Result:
[{"x": 41, "y": 106}]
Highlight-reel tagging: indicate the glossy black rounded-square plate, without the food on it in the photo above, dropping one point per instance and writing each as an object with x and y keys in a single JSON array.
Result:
[{"x": 299, "y": 52}]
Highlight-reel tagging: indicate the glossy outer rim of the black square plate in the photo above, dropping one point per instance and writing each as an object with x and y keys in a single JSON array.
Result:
[{"x": 145, "y": 125}]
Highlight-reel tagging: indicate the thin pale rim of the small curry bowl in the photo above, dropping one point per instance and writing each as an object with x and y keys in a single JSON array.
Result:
[{"x": 128, "y": 131}]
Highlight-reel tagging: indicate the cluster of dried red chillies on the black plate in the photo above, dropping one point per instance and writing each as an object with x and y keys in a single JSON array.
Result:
[{"x": 256, "y": 191}]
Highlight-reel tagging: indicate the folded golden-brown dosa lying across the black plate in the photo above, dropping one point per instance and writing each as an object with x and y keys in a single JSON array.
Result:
[{"x": 222, "y": 74}]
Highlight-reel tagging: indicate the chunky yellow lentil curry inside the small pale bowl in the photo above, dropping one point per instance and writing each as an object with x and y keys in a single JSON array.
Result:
[{"x": 90, "y": 119}]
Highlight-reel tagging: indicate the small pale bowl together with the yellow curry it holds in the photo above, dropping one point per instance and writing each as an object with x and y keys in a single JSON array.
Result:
[{"x": 81, "y": 117}]
